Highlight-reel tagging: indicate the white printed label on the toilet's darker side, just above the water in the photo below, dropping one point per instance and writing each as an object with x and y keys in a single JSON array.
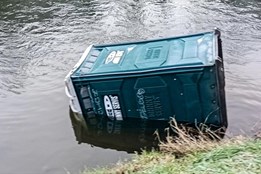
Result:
[{"x": 112, "y": 107}]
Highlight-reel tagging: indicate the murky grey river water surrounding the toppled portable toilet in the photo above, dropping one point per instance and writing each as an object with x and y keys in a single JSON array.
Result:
[{"x": 40, "y": 41}]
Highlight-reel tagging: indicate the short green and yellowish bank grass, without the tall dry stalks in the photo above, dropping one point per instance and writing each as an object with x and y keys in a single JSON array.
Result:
[{"x": 240, "y": 155}]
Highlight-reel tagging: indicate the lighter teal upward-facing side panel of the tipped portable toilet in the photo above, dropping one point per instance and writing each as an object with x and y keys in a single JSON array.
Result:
[{"x": 196, "y": 50}]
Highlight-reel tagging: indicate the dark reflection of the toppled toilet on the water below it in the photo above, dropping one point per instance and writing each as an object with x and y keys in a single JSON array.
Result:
[{"x": 129, "y": 135}]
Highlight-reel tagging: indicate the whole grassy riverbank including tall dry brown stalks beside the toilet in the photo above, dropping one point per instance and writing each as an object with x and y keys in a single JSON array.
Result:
[{"x": 200, "y": 155}]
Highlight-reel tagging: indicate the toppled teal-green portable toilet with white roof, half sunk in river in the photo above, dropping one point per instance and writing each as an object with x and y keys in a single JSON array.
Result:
[{"x": 180, "y": 77}]
